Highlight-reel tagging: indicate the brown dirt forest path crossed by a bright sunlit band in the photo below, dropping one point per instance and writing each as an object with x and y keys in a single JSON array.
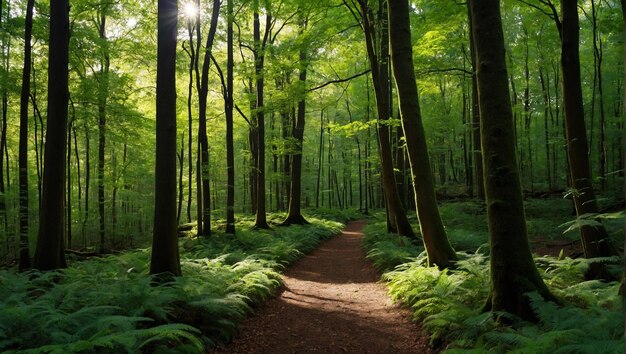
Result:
[{"x": 331, "y": 303}]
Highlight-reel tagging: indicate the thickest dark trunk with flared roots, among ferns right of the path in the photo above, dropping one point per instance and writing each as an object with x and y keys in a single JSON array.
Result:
[{"x": 513, "y": 271}]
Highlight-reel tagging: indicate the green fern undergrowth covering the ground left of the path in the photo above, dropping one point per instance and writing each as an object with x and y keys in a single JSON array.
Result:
[{"x": 111, "y": 304}]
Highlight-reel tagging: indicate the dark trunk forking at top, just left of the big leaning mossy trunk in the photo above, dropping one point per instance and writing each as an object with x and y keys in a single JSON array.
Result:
[{"x": 397, "y": 221}]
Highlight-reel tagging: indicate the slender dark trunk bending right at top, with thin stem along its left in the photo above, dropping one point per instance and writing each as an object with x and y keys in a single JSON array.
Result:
[{"x": 203, "y": 90}]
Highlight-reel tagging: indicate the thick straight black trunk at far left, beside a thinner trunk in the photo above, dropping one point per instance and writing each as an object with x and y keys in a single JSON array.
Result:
[{"x": 50, "y": 251}]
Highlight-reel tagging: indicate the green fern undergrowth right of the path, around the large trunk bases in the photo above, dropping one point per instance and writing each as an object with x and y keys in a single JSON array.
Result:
[{"x": 448, "y": 302}]
